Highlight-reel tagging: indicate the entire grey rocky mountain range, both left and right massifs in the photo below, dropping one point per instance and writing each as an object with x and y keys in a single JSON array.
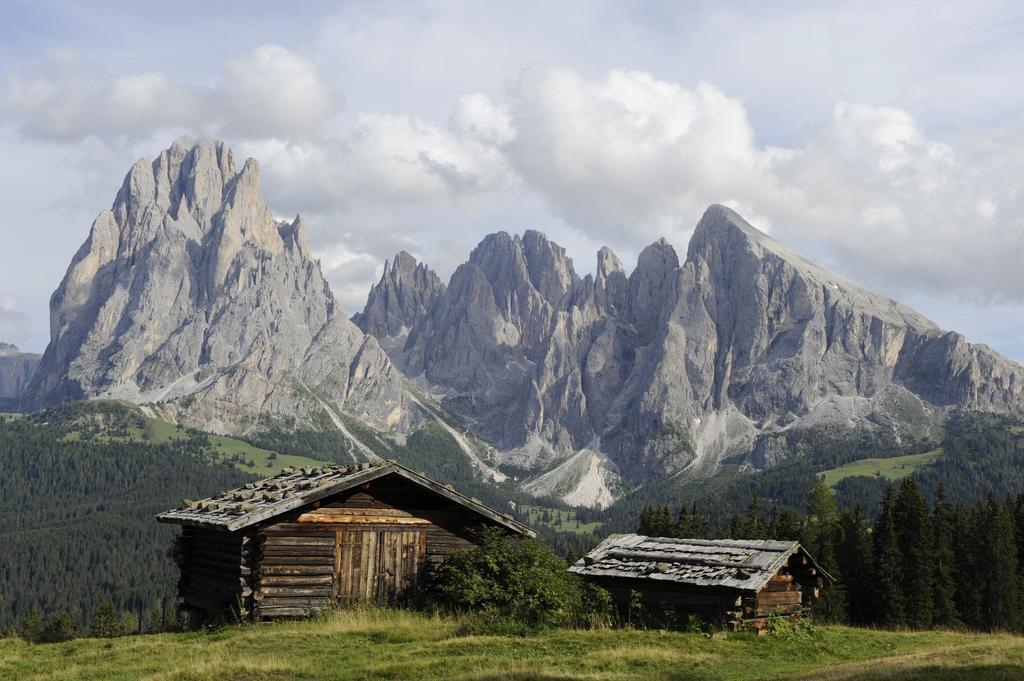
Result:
[{"x": 191, "y": 299}]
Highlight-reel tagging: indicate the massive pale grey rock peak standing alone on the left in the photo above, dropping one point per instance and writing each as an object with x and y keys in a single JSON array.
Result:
[{"x": 191, "y": 297}]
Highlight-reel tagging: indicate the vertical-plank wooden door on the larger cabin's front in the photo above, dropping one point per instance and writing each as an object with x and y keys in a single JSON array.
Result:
[{"x": 376, "y": 565}]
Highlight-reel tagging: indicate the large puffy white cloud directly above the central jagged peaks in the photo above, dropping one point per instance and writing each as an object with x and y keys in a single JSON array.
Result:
[{"x": 629, "y": 156}]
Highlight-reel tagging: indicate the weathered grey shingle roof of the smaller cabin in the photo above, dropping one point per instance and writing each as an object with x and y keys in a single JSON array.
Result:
[{"x": 742, "y": 565}]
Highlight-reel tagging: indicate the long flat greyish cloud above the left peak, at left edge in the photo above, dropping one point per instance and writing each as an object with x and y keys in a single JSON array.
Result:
[{"x": 271, "y": 93}]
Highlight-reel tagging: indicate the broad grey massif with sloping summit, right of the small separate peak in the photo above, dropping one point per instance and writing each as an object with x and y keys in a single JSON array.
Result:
[{"x": 613, "y": 379}]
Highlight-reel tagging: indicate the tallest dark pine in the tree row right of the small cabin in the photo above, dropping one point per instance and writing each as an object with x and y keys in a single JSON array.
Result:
[{"x": 914, "y": 532}]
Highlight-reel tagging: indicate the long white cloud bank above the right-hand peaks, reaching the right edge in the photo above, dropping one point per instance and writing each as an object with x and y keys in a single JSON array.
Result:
[{"x": 628, "y": 158}]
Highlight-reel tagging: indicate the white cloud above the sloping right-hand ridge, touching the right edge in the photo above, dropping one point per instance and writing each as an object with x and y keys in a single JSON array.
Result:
[{"x": 906, "y": 211}]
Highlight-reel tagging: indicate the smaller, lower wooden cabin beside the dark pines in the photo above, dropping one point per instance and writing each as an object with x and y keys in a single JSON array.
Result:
[{"x": 731, "y": 582}]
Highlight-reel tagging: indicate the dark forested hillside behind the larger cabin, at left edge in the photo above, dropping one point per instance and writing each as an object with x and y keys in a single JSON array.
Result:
[{"x": 79, "y": 487}]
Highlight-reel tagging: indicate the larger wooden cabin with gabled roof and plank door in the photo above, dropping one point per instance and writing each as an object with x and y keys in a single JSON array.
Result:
[{"x": 313, "y": 538}]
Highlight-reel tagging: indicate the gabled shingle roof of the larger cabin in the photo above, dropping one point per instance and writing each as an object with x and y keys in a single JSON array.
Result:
[{"x": 294, "y": 488}]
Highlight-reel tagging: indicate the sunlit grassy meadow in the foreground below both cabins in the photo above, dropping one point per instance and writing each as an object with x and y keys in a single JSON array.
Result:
[{"x": 395, "y": 645}]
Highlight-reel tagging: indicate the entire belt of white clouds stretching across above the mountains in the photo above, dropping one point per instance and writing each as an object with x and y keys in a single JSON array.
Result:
[{"x": 623, "y": 158}]
